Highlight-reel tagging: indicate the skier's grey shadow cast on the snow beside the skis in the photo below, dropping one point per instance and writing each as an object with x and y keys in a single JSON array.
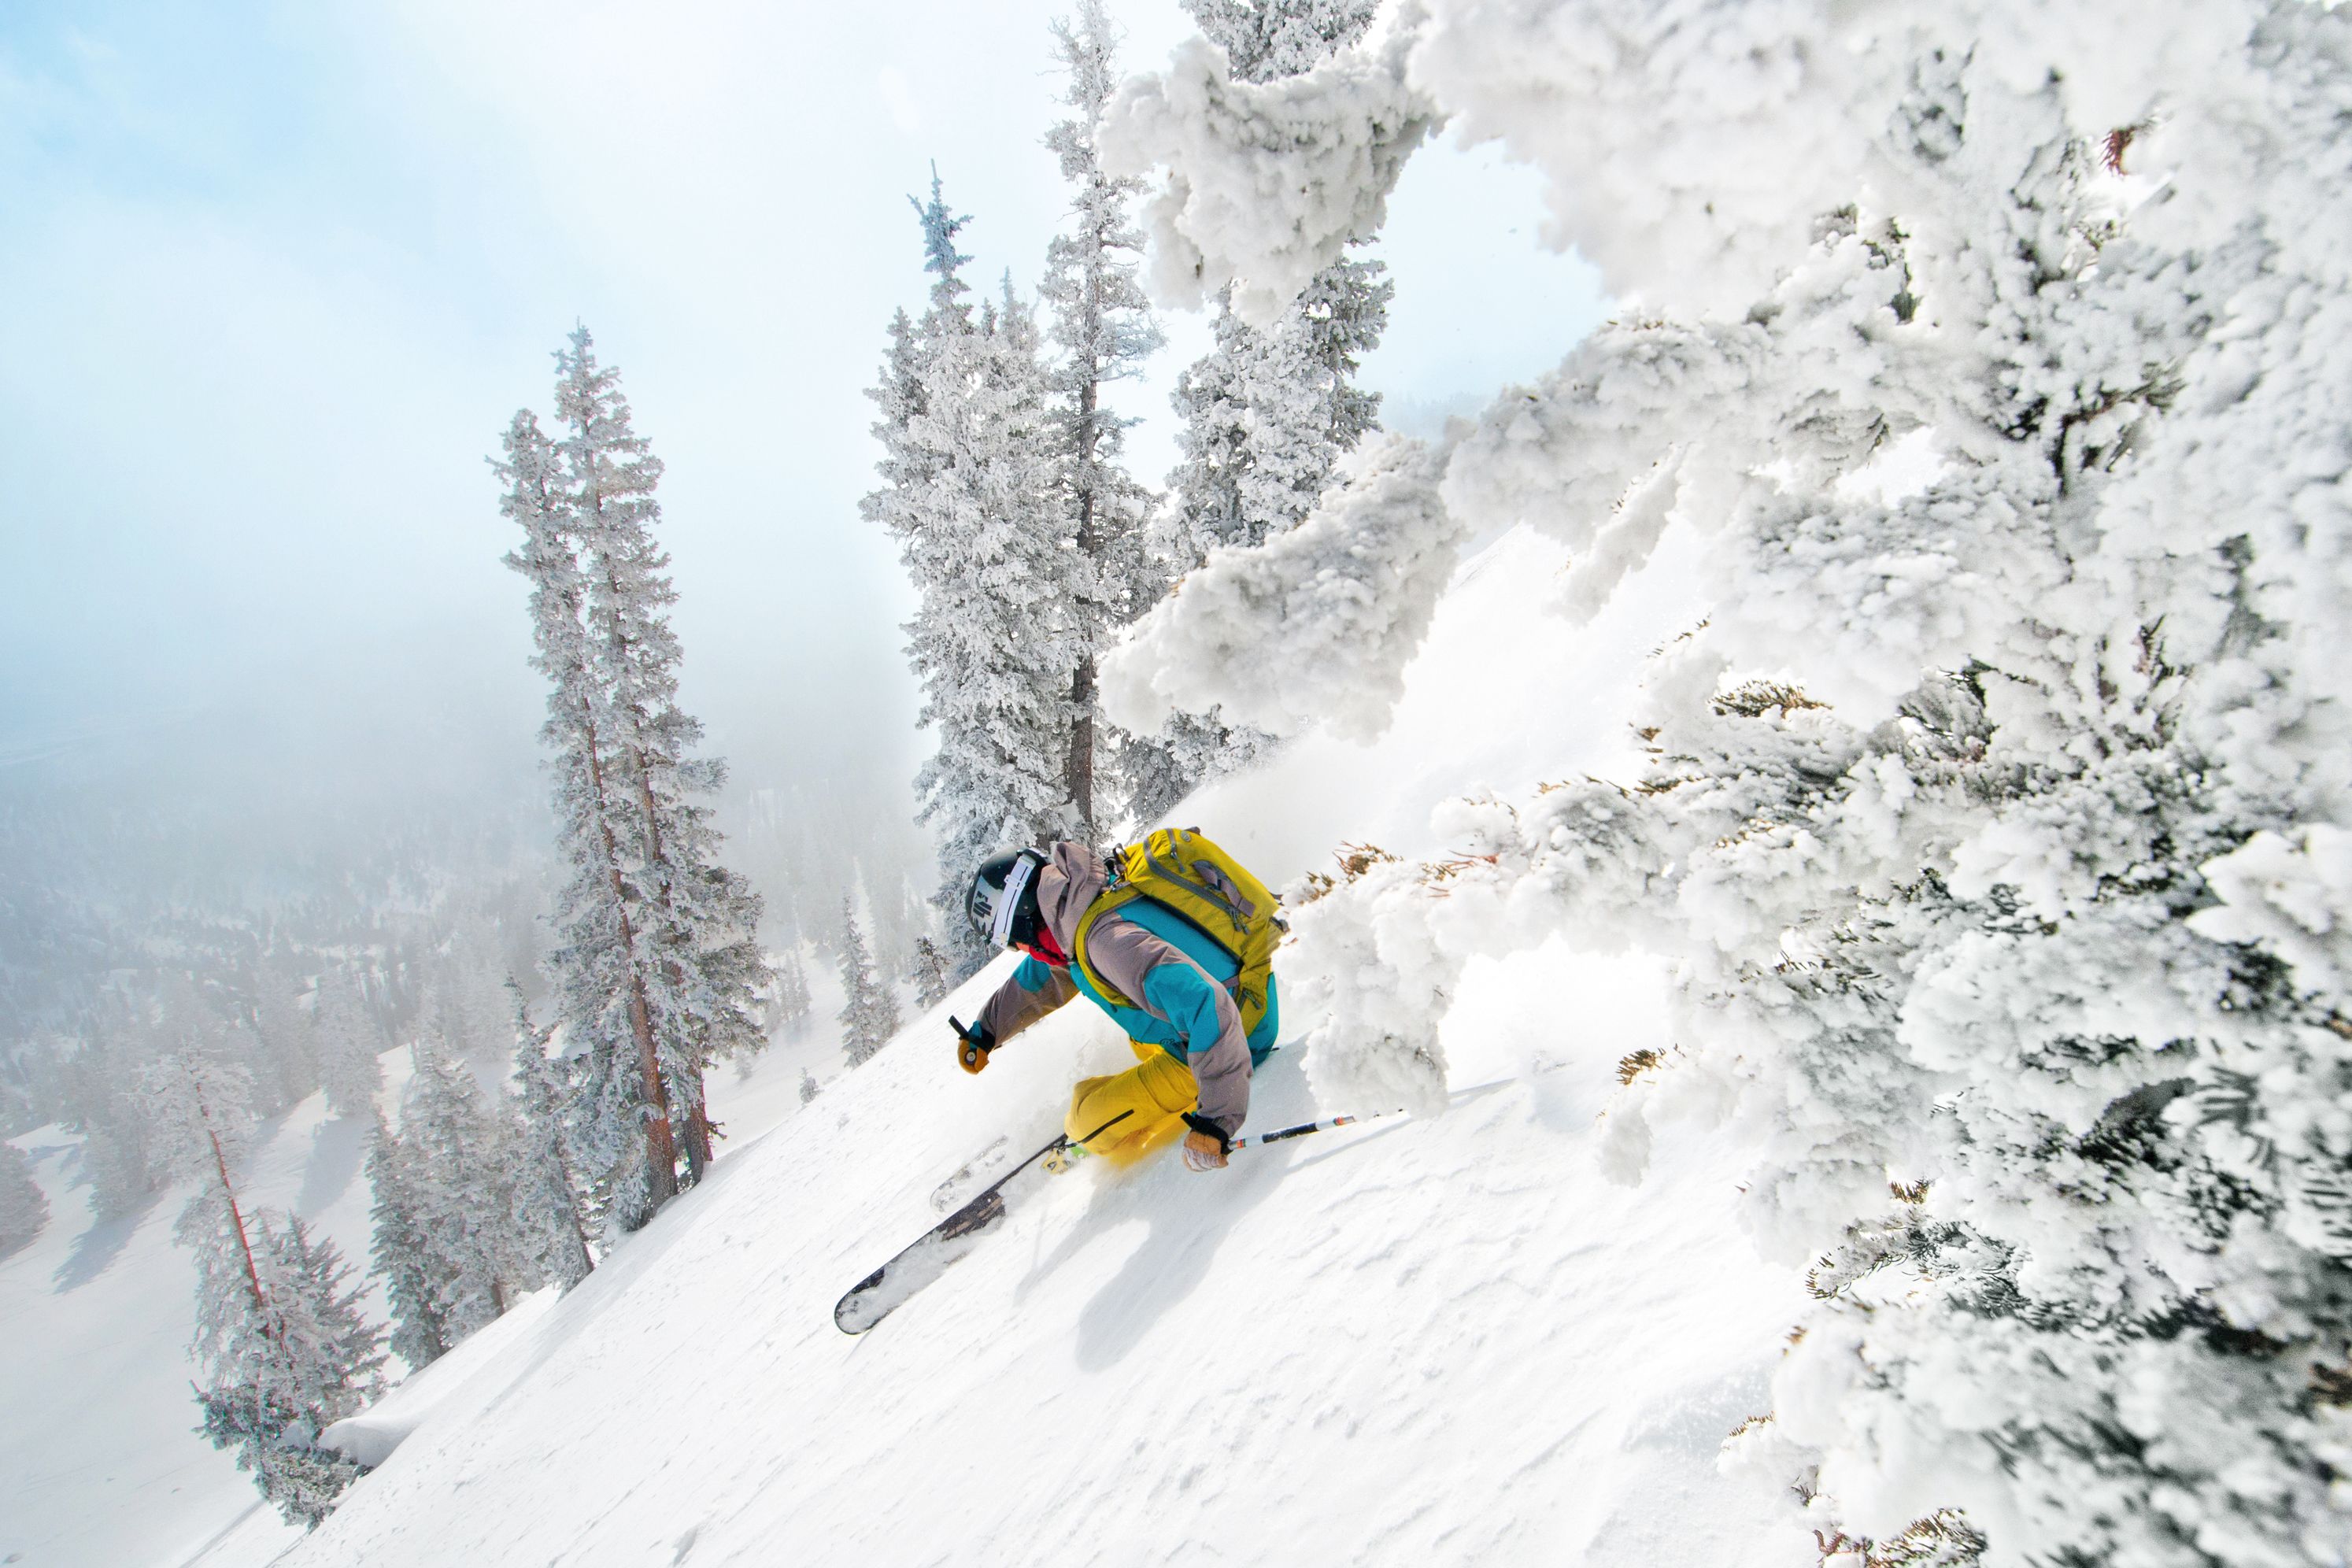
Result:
[{"x": 1189, "y": 1221}]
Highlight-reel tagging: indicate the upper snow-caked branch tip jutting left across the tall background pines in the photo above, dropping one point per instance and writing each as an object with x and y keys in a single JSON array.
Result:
[{"x": 1267, "y": 180}]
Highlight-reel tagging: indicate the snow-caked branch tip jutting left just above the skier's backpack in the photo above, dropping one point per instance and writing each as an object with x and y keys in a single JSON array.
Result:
[{"x": 1311, "y": 626}]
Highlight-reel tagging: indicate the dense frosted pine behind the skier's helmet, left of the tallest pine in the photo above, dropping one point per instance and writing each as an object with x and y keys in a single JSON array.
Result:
[{"x": 970, "y": 495}]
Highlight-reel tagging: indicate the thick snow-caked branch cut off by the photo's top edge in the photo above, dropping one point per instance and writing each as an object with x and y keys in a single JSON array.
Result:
[{"x": 1695, "y": 147}]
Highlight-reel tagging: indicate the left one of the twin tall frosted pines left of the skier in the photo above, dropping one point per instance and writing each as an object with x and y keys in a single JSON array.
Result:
[{"x": 620, "y": 1118}]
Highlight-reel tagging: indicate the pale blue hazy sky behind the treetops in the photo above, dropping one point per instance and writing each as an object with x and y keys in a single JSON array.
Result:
[{"x": 279, "y": 274}]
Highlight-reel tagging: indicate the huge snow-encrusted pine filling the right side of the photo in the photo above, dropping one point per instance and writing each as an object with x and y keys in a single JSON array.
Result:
[{"x": 1998, "y": 826}]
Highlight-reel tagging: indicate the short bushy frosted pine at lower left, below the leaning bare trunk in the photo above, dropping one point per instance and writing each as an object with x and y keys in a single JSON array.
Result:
[{"x": 283, "y": 1362}]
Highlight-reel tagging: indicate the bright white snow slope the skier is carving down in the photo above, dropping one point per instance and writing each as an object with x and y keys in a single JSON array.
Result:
[{"x": 1419, "y": 1341}]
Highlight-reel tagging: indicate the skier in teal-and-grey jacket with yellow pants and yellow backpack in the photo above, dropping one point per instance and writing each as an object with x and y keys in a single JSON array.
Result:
[{"x": 1198, "y": 1014}]
